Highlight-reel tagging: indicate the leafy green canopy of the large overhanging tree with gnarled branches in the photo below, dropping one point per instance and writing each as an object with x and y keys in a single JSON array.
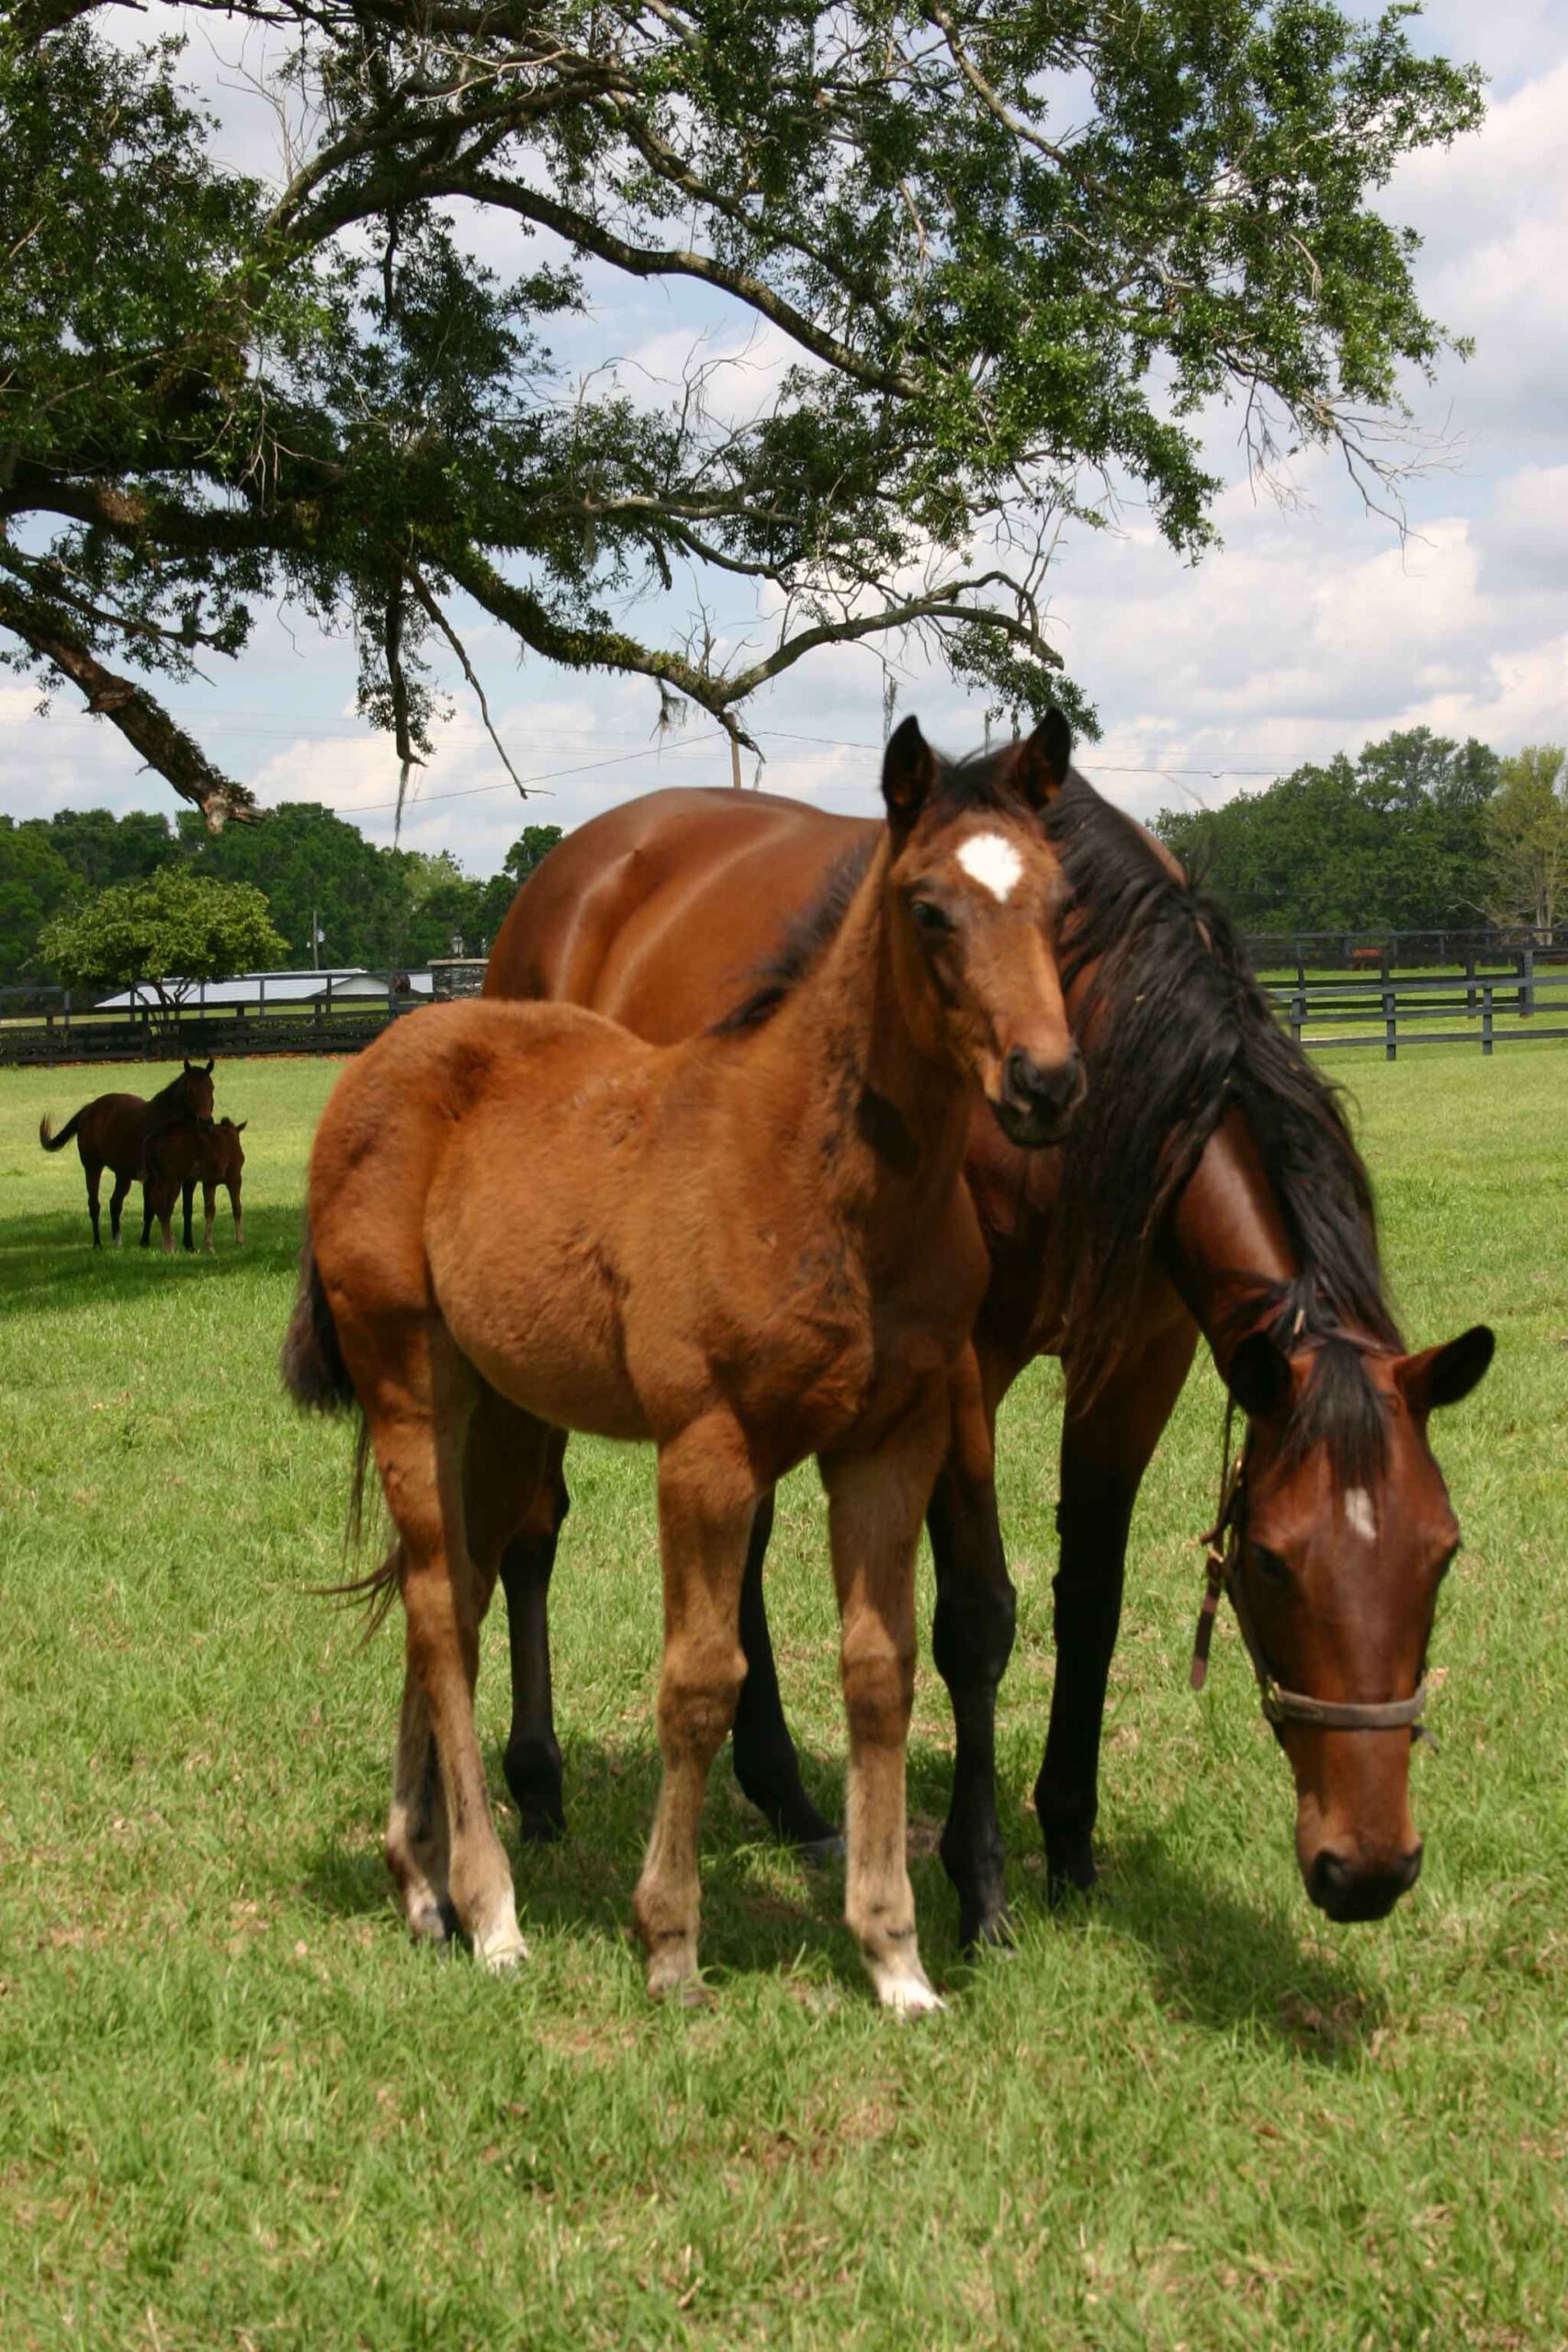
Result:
[{"x": 1014, "y": 253}]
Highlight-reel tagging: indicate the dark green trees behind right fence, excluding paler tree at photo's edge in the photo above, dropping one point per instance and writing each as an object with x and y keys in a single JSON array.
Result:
[{"x": 1391, "y": 841}]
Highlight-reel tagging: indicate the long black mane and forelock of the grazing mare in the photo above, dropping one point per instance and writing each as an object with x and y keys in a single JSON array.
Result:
[{"x": 1177, "y": 1034}]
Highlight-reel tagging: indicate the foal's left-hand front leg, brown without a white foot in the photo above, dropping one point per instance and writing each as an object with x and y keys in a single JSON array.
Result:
[{"x": 706, "y": 1504}]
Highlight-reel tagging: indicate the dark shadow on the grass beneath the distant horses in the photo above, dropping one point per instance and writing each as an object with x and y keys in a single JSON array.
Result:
[{"x": 48, "y": 1262}]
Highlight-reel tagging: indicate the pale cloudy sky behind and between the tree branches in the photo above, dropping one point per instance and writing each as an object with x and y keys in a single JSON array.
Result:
[{"x": 1313, "y": 629}]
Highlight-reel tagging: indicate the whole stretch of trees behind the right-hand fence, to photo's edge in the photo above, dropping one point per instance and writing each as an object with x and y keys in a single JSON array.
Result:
[{"x": 1416, "y": 836}]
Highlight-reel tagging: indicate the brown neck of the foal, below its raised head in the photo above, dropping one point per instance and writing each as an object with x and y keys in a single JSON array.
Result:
[{"x": 871, "y": 1107}]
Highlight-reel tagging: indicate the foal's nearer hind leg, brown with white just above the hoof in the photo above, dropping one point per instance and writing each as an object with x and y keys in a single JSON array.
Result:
[{"x": 417, "y": 1398}]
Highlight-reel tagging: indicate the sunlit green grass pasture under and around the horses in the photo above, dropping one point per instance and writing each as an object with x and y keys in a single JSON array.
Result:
[{"x": 241, "y": 2111}]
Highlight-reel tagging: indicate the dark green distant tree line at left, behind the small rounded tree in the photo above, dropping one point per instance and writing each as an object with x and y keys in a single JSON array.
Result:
[{"x": 373, "y": 907}]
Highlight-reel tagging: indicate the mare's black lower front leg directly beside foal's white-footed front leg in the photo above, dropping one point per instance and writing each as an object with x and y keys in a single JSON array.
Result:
[{"x": 972, "y": 1641}]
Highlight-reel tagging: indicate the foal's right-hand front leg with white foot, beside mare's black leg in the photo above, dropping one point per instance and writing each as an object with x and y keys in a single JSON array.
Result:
[{"x": 876, "y": 1506}]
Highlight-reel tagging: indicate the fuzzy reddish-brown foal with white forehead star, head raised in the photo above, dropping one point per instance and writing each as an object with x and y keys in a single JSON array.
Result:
[{"x": 746, "y": 1248}]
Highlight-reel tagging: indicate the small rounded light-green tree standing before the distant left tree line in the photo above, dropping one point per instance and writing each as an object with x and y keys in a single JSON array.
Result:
[{"x": 175, "y": 928}]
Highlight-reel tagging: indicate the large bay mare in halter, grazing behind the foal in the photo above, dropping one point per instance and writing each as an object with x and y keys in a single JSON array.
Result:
[{"x": 1209, "y": 1187}]
